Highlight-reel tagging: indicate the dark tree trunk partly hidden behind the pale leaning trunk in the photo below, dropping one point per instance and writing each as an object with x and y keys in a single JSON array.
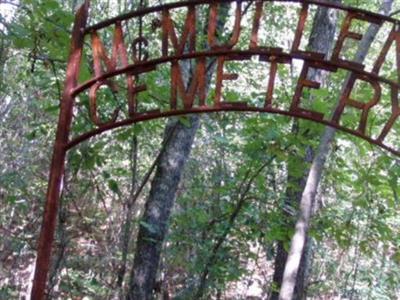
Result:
[{"x": 321, "y": 40}]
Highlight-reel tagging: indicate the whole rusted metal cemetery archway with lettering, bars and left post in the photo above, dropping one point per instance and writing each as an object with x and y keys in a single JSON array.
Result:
[{"x": 183, "y": 100}]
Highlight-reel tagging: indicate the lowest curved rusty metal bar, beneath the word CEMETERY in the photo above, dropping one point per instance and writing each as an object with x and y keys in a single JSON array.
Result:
[{"x": 157, "y": 115}]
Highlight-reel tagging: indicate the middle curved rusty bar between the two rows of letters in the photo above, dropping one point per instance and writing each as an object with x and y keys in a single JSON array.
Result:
[{"x": 139, "y": 67}]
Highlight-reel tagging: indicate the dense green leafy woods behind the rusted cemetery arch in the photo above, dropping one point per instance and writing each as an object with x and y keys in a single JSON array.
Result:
[{"x": 226, "y": 210}]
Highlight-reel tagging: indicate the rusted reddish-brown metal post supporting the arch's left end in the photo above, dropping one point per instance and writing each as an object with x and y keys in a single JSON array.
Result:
[{"x": 59, "y": 153}]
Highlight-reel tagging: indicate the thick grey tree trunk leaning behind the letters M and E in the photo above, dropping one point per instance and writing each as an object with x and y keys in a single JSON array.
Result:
[{"x": 178, "y": 140}]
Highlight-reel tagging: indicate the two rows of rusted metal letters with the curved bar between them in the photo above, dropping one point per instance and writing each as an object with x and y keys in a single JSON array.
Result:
[{"x": 177, "y": 45}]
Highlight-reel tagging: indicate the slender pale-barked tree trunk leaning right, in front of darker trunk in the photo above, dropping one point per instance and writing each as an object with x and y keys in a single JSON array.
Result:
[{"x": 307, "y": 202}]
